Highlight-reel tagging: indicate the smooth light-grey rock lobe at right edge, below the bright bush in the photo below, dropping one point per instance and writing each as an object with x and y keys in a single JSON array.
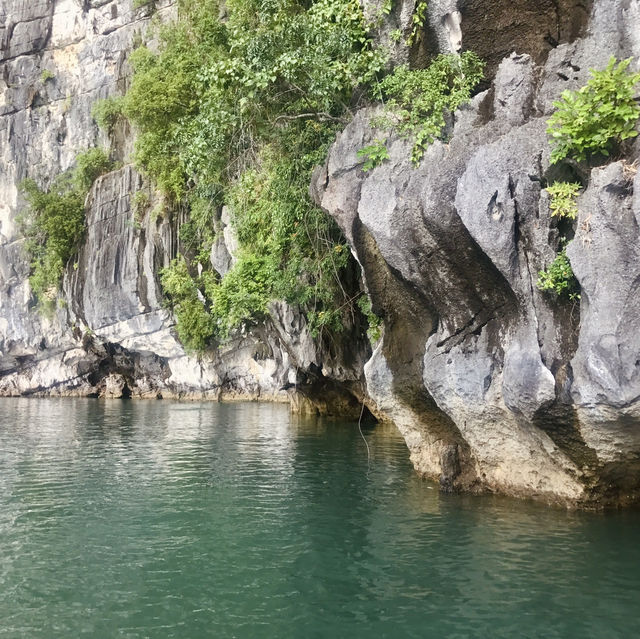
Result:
[{"x": 605, "y": 257}]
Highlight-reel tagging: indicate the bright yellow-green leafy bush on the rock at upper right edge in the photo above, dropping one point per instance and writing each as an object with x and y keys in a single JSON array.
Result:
[{"x": 598, "y": 117}]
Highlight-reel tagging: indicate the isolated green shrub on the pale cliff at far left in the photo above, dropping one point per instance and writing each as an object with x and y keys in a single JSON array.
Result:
[{"x": 54, "y": 222}]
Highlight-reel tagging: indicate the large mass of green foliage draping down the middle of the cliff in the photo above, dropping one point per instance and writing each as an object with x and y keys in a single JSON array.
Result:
[{"x": 239, "y": 111}]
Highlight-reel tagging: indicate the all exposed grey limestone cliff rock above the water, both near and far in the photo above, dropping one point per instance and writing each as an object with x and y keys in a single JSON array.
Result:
[{"x": 493, "y": 384}]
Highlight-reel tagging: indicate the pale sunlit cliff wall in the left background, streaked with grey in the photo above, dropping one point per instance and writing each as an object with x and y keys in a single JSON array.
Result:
[{"x": 111, "y": 334}]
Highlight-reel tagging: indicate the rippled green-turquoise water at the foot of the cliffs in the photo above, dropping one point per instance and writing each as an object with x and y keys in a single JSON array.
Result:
[{"x": 161, "y": 519}]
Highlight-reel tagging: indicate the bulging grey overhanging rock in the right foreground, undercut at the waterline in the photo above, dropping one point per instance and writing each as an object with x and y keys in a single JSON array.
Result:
[{"x": 493, "y": 383}]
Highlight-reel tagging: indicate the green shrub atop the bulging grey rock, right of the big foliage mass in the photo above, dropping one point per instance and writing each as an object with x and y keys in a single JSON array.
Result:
[{"x": 417, "y": 101}]
